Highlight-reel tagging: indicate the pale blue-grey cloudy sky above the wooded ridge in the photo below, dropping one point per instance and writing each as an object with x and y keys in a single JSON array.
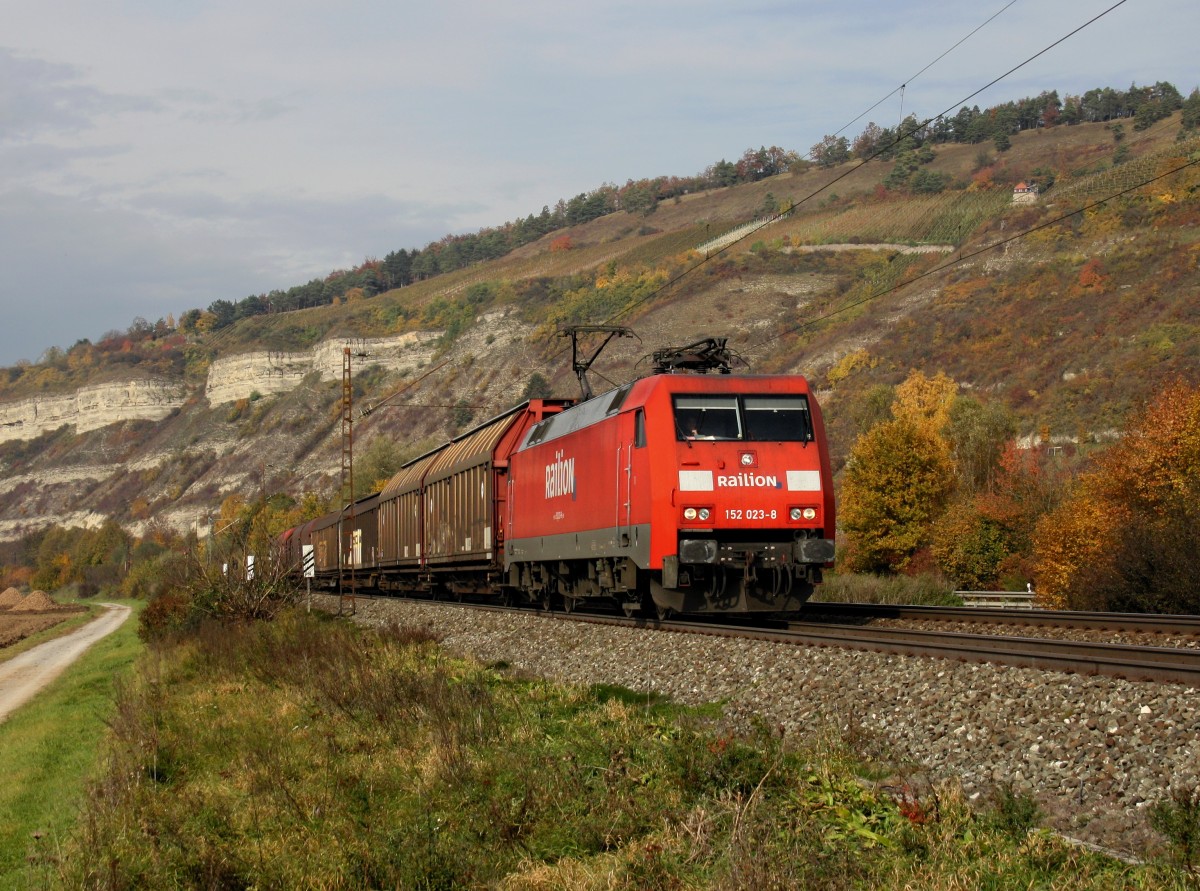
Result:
[{"x": 157, "y": 157}]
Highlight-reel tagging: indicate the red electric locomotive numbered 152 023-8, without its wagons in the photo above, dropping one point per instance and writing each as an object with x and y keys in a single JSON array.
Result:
[{"x": 685, "y": 493}]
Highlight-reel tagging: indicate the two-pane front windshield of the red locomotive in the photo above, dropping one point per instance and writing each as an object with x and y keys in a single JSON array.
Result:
[{"x": 751, "y": 418}]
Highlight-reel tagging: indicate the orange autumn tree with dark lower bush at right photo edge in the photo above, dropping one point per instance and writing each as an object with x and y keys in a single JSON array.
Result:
[{"x": 1127, "y": 536}]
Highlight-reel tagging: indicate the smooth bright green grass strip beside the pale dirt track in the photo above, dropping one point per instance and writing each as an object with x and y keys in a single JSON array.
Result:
[{"x": 50, "y": 749}]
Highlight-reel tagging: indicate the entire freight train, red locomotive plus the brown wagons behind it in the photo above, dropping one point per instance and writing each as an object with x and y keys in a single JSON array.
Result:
[{"x": 677, "y": 493}]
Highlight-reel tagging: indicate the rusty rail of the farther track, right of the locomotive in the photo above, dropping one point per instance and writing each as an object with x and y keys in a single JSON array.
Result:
[{"x": 999, "y": 615}]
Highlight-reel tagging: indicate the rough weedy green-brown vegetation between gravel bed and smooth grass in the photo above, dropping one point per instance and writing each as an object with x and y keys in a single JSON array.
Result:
[{"x": 308, "y": 752}]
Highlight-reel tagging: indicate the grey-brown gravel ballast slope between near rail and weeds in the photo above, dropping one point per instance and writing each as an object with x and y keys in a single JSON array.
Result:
[{"x": 1096, "y": 752}]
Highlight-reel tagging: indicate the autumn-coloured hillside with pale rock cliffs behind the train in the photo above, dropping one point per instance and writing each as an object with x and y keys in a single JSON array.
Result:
[{"x": 1070, "y": 326}]
